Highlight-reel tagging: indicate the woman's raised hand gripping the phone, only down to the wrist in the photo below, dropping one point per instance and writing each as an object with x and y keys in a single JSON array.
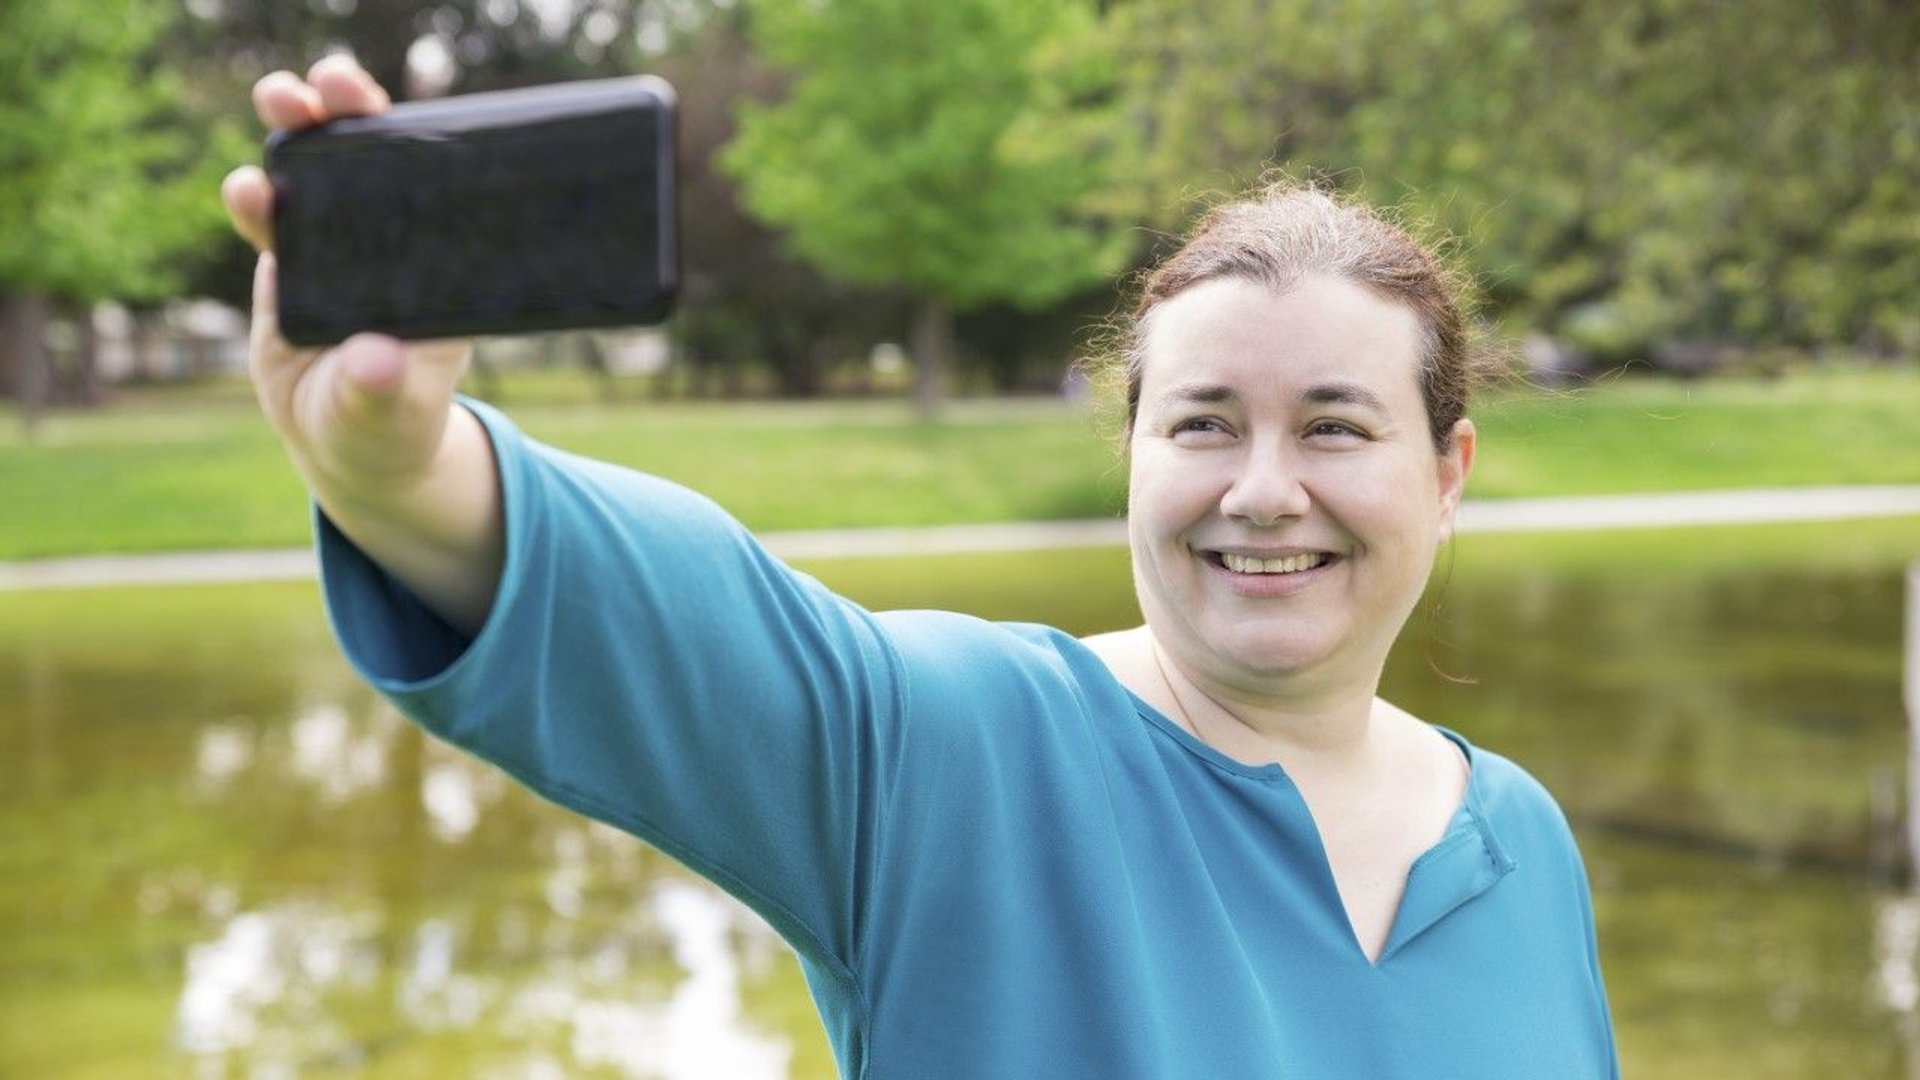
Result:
[{"x": 364, "y": 420}]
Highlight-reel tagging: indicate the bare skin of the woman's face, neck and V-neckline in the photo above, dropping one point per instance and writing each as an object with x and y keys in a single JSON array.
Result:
[{"x": 1284, "y": 518}]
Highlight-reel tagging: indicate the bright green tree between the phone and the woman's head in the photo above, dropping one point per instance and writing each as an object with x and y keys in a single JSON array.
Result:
[{"x": 919, "y": 147}]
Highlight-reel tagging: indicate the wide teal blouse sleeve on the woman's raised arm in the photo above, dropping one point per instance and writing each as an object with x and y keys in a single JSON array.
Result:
[{"x": 648, "y": 664}]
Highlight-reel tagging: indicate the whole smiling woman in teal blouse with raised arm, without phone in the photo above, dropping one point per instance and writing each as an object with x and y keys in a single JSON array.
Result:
[{"x": 1197, "y": 848}]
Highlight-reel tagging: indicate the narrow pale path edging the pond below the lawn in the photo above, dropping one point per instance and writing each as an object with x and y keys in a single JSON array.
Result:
[{"x": 1754, "y": 506}]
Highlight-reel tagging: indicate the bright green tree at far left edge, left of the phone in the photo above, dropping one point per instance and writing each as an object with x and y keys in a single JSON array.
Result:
[{"x": 107, "y": 178}]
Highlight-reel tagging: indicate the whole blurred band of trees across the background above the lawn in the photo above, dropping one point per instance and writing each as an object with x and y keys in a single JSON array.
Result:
[{"x": 1620, "y": 174}]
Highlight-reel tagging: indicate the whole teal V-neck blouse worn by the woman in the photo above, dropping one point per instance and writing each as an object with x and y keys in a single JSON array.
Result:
[{"x": 992, "y": 860}]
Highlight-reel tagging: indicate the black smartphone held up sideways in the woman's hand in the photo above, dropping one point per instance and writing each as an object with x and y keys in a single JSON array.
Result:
[{"x": 489, "y": 214}]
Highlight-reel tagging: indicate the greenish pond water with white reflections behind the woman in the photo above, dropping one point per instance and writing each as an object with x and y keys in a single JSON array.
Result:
[{"x": 224, "y": 858}]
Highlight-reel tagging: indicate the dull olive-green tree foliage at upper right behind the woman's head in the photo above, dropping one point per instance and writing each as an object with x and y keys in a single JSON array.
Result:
[{"x": 1623, "y": 174}]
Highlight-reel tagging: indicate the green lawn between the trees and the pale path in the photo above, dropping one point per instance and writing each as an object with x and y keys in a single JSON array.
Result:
[{"x": 197, "y": 468}]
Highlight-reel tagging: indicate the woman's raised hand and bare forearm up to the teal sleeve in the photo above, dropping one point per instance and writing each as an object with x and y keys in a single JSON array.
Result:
[{"x": 372, "y": 424}]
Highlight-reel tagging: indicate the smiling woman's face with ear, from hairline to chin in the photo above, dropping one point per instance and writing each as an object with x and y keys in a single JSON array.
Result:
[{"x": 1285, "y": 501}]
